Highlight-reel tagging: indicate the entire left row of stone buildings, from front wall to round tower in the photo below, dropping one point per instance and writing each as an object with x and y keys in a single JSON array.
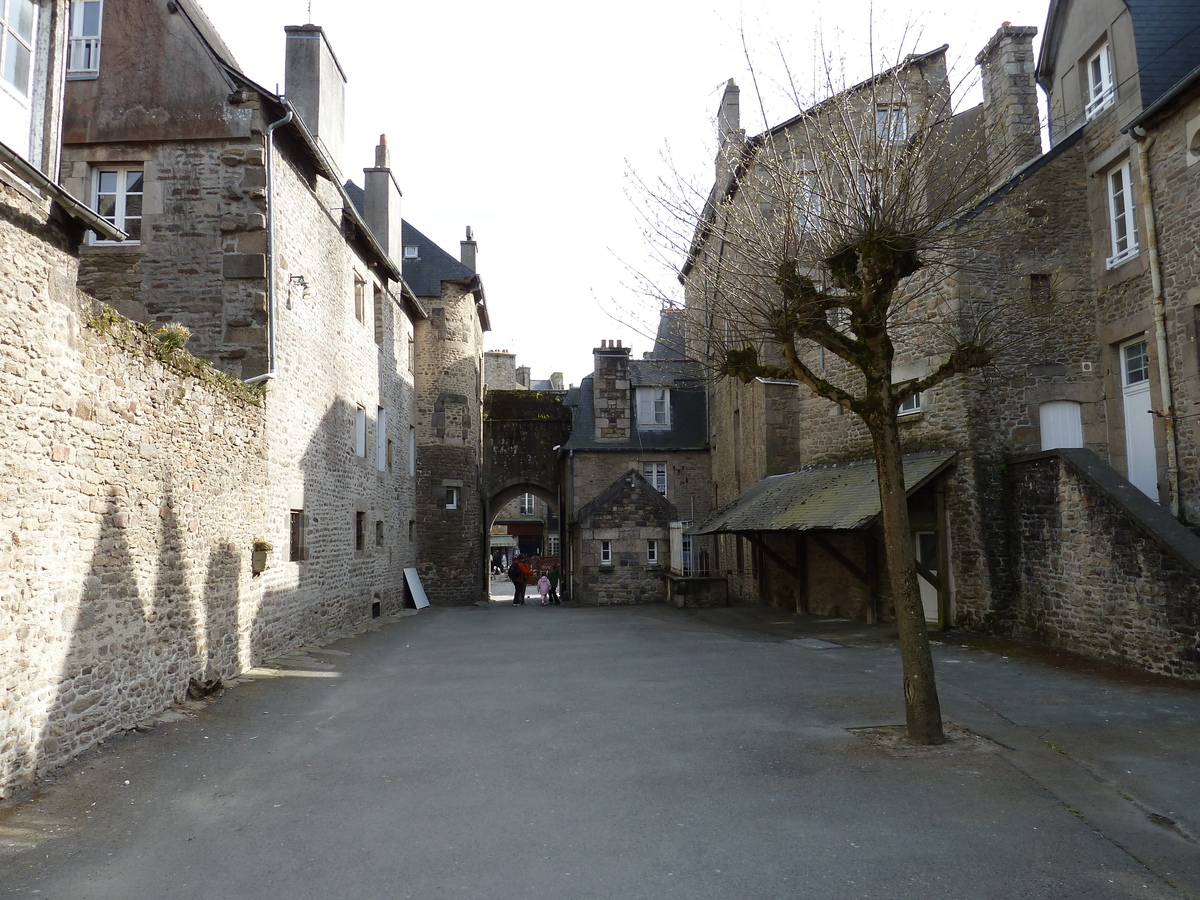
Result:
[{"x": 169, "y": 518}]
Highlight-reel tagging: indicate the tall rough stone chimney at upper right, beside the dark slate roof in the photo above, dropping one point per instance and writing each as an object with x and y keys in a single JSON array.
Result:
[{"x": 1013, "y": 130}]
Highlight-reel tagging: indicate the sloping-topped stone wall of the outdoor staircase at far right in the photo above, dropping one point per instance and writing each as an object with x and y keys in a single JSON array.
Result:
[{"x": 1102, "y": 569}]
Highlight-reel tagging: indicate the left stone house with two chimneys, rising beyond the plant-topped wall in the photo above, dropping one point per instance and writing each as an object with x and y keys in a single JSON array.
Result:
[{"x": 243, "y": 233}]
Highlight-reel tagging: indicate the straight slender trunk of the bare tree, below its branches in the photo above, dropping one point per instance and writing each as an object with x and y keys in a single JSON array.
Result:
[{"x": 923, "y": 713}]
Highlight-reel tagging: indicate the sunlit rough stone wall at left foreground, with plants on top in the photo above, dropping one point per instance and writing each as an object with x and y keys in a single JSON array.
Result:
[{"x": 130, "y": 501}]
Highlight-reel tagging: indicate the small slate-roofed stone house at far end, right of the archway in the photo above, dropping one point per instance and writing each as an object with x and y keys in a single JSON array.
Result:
[{"x": 645, "y": 418}]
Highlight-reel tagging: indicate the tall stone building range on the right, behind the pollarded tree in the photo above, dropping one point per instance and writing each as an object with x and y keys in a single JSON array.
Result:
[{"x": 1011, "y": 523}]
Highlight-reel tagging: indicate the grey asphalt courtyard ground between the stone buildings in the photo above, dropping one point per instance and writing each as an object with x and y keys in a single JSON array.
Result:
[{"x": 631, "y": 753}]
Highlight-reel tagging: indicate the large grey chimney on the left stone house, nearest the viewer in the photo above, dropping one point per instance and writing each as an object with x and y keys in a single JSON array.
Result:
[{"x": 315, "y": 83}]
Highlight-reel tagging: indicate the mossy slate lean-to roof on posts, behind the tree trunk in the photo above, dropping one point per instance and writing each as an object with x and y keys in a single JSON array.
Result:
[{"x": 843, "y": 497}]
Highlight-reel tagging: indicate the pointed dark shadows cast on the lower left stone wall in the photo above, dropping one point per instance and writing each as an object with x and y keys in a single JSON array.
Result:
[{"x": 134, "y": 645}]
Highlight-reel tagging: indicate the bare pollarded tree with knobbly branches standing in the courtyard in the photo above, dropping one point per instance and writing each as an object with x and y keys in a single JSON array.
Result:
[{"x": 831, "y": 238}]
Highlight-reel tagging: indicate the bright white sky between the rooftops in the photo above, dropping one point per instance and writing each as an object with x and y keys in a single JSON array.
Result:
[{"x": 523, "y": 119}]
